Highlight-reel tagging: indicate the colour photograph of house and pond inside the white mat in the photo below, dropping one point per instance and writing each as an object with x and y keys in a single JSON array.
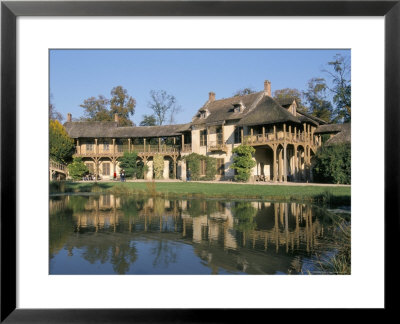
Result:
[{"x": 199, "y": 161}]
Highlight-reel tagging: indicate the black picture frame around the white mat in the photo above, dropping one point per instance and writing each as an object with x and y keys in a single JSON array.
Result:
[{"x": 11, "y": 10}]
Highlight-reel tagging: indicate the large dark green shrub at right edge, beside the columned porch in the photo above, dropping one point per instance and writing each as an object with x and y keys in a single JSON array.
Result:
[{"x": 332, "y": 164}]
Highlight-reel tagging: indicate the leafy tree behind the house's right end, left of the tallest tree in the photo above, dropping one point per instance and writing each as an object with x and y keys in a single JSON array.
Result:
[{"x": 316, "y": 99}]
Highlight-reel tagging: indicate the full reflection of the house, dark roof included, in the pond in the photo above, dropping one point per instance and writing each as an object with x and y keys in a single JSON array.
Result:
[{"x": 244, "y": 236}]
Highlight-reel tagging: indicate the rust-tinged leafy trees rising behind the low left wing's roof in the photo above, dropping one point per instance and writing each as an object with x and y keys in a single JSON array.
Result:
[{"x": 103, "y": 109}]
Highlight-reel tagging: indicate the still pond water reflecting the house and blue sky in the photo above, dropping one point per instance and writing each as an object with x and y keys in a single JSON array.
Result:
[{"x": 110, "y": 234}]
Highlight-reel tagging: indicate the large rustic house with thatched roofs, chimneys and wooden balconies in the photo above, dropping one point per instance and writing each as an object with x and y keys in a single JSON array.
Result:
[{"x": 285, "y": 139}]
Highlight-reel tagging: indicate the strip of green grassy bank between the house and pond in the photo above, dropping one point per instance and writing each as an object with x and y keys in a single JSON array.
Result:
[{"x": 317, "y": 194}]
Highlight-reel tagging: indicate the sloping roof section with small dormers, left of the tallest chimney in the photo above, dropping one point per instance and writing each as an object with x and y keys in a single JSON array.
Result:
[{"x": 223, "y": 109}]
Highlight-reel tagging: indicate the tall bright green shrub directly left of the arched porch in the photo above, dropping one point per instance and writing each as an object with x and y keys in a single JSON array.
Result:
[{"x": 243, "y": 162}]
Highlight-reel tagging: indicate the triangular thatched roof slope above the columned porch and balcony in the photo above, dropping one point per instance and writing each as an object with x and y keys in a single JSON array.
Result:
[{"x": 268, "y": 111}]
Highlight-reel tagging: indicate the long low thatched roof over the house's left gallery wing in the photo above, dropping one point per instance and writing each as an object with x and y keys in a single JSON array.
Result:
[{"x": 112, "y": 130}]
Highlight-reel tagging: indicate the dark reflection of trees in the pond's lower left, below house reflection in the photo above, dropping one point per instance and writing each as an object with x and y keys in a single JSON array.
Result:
[{"x": 102, "y": 247}]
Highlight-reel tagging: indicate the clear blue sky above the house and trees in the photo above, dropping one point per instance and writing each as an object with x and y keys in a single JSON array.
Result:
[{"x": 189, "y": 75}]
